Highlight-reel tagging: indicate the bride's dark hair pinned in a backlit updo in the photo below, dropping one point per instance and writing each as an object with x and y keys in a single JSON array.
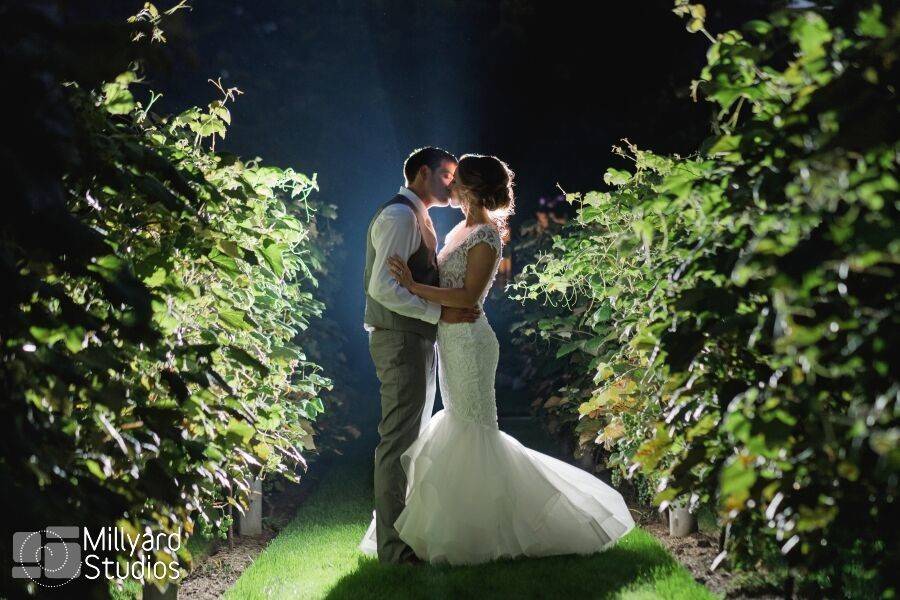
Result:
[{"x": 488, "y": 182}]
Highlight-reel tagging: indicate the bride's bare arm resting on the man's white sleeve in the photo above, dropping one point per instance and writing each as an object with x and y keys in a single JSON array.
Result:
[{"x": 479, "y": 269}]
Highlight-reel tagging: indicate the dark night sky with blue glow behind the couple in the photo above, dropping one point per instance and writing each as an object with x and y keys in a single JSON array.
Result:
[{"x": 347, "y": 89}]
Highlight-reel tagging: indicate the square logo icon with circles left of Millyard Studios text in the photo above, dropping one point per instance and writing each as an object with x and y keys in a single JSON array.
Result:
[{"x": 50, "y": 557}]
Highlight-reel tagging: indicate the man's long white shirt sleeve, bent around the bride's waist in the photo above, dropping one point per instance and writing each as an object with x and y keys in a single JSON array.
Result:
[{"x": 395, "y": 231}]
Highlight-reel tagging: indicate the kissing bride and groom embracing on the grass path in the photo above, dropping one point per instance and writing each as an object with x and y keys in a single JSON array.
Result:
[{"x": 453, "y": 488}]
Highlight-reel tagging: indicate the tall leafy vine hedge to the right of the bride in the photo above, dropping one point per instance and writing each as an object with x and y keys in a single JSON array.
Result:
[{"x": 731, "y": 317}]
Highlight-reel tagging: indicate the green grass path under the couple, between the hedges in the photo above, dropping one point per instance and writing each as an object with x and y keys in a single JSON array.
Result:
[{"x": 316, "y": 557}]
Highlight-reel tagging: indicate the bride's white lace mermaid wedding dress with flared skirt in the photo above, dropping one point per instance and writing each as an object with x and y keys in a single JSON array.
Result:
[{"x": 474, "y": 493}]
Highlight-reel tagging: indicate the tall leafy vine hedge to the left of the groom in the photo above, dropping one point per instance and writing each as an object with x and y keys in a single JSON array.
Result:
[{"x": 153, "y": 290}]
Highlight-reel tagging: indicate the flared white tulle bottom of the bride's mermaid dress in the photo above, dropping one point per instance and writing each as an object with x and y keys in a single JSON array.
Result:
[{"x": 476, "y": 494}]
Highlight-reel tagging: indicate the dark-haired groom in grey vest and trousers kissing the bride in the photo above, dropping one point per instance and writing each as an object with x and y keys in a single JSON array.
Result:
[{"x": 402, "y": 330}]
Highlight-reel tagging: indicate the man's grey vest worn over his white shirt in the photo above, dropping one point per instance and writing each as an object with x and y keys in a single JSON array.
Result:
[{"x": 422, "y": 263}]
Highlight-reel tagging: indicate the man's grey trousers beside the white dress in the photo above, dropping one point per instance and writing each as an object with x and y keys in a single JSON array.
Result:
[{"x": 405, "y": 365}]
